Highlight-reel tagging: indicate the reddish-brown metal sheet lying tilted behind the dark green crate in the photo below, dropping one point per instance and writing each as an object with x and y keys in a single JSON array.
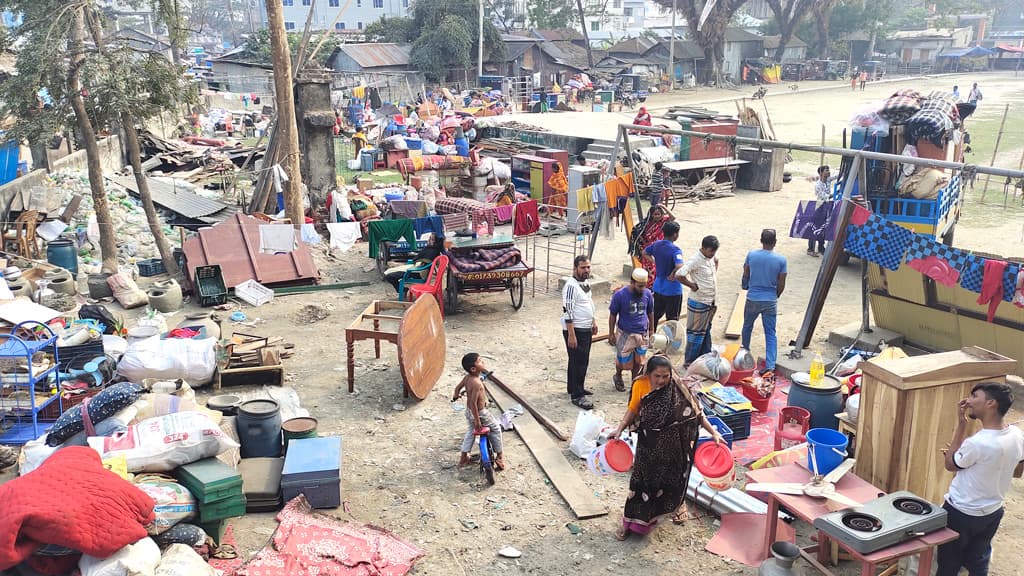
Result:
[{"x": 234, "y": 245}]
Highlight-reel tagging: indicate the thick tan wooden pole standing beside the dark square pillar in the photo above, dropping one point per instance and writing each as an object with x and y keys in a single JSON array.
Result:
[{"x": 288, "y": 131}]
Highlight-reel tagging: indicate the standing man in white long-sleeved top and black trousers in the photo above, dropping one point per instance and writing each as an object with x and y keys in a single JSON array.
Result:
[{"x": 578, "y": 331}]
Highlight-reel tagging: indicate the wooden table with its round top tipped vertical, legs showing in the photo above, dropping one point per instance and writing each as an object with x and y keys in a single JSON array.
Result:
[{"x": 419, "y": 337}]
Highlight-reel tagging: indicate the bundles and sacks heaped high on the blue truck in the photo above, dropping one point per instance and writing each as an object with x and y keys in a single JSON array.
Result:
[{"x": 926, "y": 124}]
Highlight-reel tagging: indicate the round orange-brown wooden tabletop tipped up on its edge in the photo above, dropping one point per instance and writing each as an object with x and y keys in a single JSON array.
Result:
[{"x": 422, "y": 347}]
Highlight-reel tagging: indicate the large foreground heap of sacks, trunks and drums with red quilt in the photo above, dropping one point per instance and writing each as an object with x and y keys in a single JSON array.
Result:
[{"x": 138, "y": 477}]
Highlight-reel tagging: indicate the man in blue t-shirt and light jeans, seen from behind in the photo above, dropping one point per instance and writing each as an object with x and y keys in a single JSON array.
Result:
[{"x": 764, "y": 280}]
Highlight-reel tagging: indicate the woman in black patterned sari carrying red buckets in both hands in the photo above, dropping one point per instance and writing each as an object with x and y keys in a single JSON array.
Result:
[{"x": 667, "y": 418}]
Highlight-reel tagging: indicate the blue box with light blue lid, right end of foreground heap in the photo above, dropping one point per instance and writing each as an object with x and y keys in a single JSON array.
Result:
[{"x": 313, "y": 468}]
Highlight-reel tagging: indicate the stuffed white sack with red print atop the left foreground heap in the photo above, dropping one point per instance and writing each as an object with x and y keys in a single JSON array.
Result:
[{"x": 158, "y": 445}]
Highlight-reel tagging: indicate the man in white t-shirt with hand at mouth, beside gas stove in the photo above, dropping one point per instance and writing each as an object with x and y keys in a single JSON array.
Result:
[{"x": 985, "y": 466}]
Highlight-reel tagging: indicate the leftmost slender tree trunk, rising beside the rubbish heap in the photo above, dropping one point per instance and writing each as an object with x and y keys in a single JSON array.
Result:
[{"x": 108, "y": 238}]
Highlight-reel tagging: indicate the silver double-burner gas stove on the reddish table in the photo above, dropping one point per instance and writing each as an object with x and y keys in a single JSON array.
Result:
[{"x": 890, "y": 520}]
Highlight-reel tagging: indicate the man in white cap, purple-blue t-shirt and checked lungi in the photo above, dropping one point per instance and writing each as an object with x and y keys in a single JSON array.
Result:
[{"x": 630, "y": 324}]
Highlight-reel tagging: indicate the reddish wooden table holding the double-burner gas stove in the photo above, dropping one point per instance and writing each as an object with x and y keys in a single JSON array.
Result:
[{"x": 807, "y": 509}]
